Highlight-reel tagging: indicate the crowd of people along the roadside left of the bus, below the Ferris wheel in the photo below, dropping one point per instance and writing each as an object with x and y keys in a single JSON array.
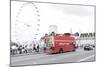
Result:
[{"x": 15, "y": 49}]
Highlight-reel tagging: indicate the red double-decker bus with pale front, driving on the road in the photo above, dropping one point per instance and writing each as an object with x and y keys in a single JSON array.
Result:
[{"x": 62, "y": 43}]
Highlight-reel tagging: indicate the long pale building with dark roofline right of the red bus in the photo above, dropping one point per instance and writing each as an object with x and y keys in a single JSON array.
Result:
[{"x": 83, "y": 39}]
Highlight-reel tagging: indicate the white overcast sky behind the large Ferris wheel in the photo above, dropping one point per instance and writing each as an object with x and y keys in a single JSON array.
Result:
[{"x": 66, "y": 17}]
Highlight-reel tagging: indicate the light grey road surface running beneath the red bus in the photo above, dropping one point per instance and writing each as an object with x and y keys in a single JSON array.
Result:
[{"x": 77, "y": 56}]
